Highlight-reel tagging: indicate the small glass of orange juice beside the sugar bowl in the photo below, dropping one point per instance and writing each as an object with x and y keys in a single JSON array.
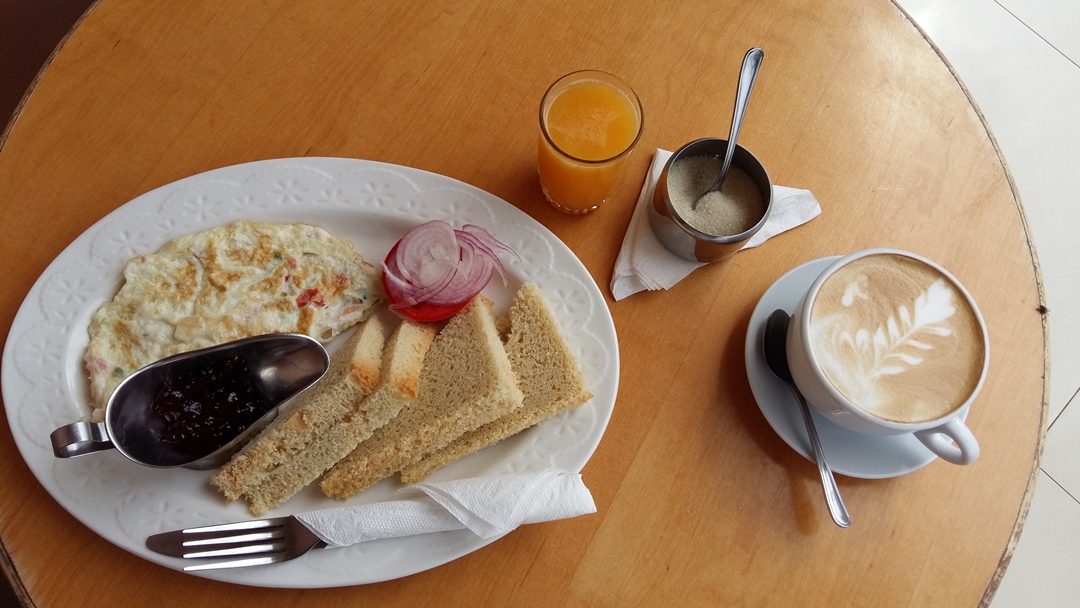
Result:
[{"x": 590, "y": 123}]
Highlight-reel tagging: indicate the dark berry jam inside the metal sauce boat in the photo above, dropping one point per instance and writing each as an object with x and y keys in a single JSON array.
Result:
[{"x": 206, "y": 409}]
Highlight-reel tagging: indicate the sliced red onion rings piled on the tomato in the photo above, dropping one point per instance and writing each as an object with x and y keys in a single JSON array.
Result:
[{"x": 435, "y": 264}]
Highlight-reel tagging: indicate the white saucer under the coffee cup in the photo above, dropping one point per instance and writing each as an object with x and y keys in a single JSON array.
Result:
[{"x": 852, "y": 454}]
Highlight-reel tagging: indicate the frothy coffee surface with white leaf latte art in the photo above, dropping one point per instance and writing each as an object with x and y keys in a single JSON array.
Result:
[{"x": 897, "y": 339}]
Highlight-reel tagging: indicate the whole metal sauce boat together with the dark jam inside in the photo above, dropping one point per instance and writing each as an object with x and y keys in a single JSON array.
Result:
[{"x": 195, "y": 410}]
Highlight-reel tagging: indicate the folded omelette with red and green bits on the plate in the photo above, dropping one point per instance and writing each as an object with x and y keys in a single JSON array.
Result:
[{"x": 223, "y": 285}]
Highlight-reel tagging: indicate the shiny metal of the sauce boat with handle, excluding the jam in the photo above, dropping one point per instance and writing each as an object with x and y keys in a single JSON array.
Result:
[{"x": 279, "y": 368}]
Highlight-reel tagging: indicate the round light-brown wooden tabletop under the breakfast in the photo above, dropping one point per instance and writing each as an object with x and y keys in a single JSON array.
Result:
[{"x": 700, "y": 504}]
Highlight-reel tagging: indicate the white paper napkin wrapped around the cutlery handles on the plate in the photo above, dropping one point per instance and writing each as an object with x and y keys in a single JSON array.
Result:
[{"x": 490, "y": 507}]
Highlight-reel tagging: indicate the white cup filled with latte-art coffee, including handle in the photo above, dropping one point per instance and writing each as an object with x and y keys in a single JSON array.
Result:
[{"x": 889, "y": 343}]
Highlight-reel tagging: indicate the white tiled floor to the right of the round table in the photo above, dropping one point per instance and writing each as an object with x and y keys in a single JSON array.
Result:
[{"x": 1021, "y": 62}]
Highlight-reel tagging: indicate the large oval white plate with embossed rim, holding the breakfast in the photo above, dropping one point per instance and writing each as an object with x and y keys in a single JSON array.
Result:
[{"x": 371, "y": 204}]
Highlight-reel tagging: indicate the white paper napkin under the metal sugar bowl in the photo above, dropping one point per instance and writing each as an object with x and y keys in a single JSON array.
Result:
[{"x": 645, "y": 264}]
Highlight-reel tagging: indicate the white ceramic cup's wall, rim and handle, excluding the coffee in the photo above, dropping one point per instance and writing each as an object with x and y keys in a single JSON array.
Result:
[{"x": 939, "y": 435}]
